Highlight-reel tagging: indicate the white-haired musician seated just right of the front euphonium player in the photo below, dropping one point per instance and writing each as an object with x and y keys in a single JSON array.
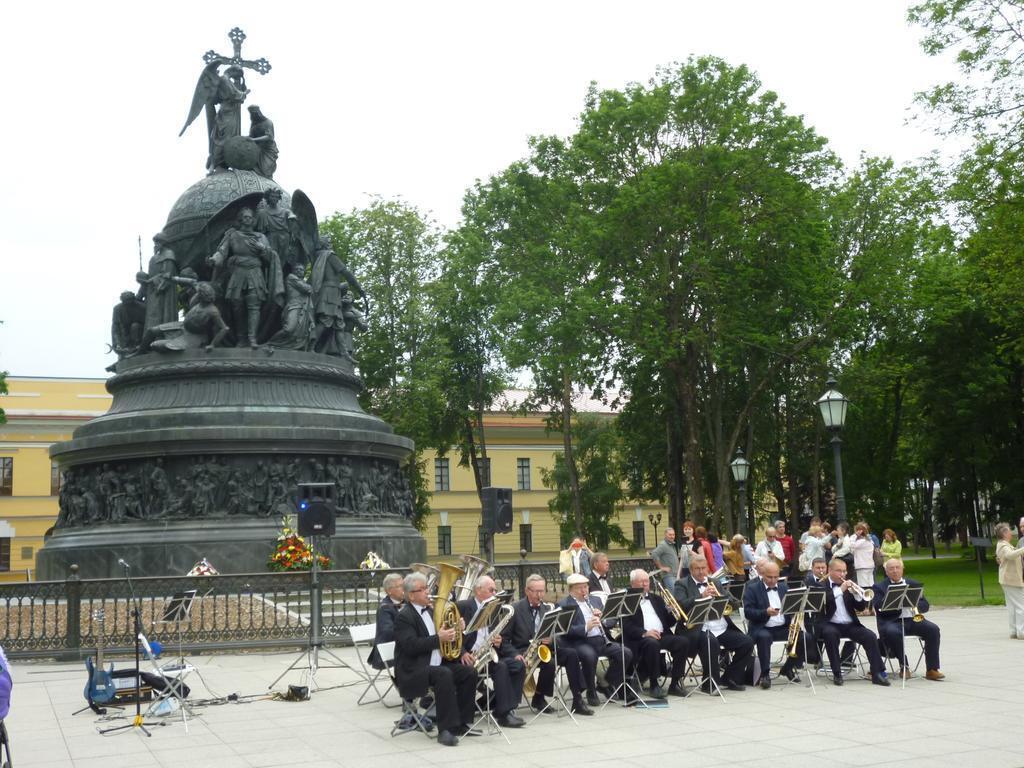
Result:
[{"x": 507, "y": 673}]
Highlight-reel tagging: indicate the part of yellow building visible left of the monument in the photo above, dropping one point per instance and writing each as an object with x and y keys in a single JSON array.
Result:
[{"x": 40, "y": 412}]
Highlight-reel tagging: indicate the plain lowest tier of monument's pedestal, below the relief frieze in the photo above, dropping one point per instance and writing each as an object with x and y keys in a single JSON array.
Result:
[{"x": 242, "y": 546}]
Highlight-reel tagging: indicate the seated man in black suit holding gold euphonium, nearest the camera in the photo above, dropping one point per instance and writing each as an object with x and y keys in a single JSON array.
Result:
[{"x": 419, "y": 666}]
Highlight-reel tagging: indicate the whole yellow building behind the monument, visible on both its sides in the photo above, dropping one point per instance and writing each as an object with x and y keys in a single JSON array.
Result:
[{"x": 41, "y": 412}]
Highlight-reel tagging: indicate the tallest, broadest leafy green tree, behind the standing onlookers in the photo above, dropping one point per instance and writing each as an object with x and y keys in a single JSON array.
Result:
[{"x": 713, "y": 240}]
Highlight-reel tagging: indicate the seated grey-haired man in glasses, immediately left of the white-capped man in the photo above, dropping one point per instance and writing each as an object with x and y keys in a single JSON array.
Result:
[{"x": 521, "y": 633}]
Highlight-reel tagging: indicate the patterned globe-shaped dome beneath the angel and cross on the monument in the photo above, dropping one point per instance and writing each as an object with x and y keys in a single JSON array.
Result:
[{"x": 206, "y": 198}]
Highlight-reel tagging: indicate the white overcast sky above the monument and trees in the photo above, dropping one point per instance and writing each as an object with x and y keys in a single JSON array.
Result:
[{"x": 398, "y": 100}]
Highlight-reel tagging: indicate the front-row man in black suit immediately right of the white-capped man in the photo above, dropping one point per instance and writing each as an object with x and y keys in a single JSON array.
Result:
[{"x": 649, "y": 632}]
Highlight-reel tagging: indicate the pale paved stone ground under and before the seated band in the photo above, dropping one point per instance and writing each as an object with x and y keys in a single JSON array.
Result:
[{"x": 971, "y": 719}]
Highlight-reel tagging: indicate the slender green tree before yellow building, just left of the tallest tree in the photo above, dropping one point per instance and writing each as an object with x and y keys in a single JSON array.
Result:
[{"x": 549, "y": 301}]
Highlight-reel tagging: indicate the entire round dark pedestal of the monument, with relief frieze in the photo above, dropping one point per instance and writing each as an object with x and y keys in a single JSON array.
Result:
[{"x": 201, "y": 455}]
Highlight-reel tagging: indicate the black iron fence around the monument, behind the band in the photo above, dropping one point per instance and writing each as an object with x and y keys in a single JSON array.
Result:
[{"x": 71, "y": 619}]
